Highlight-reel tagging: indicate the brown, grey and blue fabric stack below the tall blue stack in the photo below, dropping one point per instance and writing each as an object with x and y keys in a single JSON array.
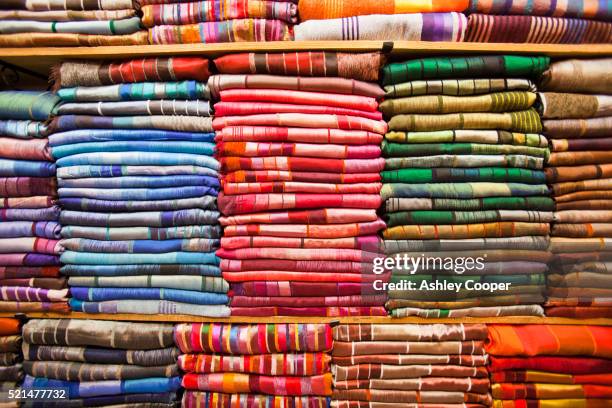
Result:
[{"x": 102, "y": 363}]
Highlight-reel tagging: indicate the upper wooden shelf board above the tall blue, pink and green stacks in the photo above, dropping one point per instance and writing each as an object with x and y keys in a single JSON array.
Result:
[{"x": 40, "y": 58}]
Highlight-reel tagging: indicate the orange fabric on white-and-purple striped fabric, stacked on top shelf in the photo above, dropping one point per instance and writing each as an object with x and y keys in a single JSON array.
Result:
[{"x": 384, "y": 20}]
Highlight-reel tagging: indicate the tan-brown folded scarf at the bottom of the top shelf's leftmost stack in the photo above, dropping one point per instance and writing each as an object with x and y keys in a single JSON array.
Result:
[{"x": 71, "y": 40}]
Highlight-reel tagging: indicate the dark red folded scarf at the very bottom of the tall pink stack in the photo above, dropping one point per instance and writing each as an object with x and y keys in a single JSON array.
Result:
[{"x": 309, "y": 311}]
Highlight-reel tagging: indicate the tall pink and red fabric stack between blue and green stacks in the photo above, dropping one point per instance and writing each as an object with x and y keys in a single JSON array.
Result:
[{"x": 300, "y": 158}]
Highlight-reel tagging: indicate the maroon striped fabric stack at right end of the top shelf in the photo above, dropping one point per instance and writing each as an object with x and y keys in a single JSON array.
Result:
[{"x": 540, "y": 21}]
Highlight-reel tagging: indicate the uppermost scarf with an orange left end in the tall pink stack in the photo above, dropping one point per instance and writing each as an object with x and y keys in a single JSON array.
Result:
[{"x": 333, "y": 151}]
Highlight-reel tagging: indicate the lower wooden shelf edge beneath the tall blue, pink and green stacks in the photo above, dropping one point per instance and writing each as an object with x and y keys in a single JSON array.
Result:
[{"x": 297, "y": 319}]
